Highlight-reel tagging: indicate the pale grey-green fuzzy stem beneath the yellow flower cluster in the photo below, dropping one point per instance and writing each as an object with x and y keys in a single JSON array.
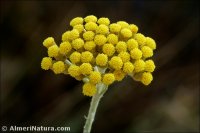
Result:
[{"x": 93, "y": 107}]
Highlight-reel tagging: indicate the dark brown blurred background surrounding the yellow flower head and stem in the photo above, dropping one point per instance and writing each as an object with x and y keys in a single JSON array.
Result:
[{"x": 31, "y": 96}]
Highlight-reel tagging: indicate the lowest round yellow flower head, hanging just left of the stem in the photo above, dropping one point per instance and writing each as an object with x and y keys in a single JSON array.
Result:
[{"x": 89, "y": 89}]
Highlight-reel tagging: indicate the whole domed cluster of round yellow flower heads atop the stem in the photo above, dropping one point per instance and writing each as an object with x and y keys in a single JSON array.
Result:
[{"x": 96, "y": 44}]
